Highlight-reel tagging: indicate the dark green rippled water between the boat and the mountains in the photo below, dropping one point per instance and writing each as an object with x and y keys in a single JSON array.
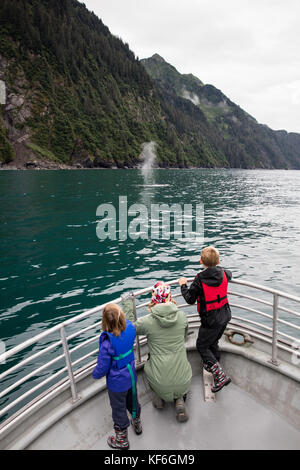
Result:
[{"x": 53, "y": 265}]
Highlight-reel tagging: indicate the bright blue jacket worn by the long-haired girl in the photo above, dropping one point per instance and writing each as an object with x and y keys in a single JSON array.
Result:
[{"x": 117, "y": 379}]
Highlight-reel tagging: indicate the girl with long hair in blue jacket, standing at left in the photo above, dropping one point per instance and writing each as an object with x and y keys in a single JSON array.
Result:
[{"x": 116, "y": 361}]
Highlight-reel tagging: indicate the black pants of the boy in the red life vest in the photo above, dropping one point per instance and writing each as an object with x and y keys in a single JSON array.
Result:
[{"x": 207, "y": 342}]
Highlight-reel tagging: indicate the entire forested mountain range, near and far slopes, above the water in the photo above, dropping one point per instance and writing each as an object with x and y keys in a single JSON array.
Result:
[{"x": 76, "y": 95}]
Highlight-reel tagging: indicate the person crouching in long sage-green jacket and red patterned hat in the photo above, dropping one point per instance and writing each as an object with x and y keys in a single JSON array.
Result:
[{"x": 168, "y": 370}]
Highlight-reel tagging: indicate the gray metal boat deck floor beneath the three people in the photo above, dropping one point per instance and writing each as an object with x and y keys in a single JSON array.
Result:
[{"x": 235, "y": 421}]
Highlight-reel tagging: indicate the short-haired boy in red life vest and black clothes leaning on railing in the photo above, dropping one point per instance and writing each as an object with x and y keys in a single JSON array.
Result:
[{"x": 209, "y": 289}]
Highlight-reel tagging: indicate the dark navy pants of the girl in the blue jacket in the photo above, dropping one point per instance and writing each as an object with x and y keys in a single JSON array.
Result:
[{"x": 120, "y": 402}]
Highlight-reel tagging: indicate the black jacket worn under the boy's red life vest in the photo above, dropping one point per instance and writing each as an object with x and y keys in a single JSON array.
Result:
[{"x": 212, "y": 277}]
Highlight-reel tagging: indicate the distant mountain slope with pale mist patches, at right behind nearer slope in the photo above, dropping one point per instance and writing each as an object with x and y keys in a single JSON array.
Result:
[{"x": 245, "y": 142}]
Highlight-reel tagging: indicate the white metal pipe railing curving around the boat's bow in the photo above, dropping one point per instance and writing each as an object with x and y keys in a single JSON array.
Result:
[{"x": 270, "y": 334}]
